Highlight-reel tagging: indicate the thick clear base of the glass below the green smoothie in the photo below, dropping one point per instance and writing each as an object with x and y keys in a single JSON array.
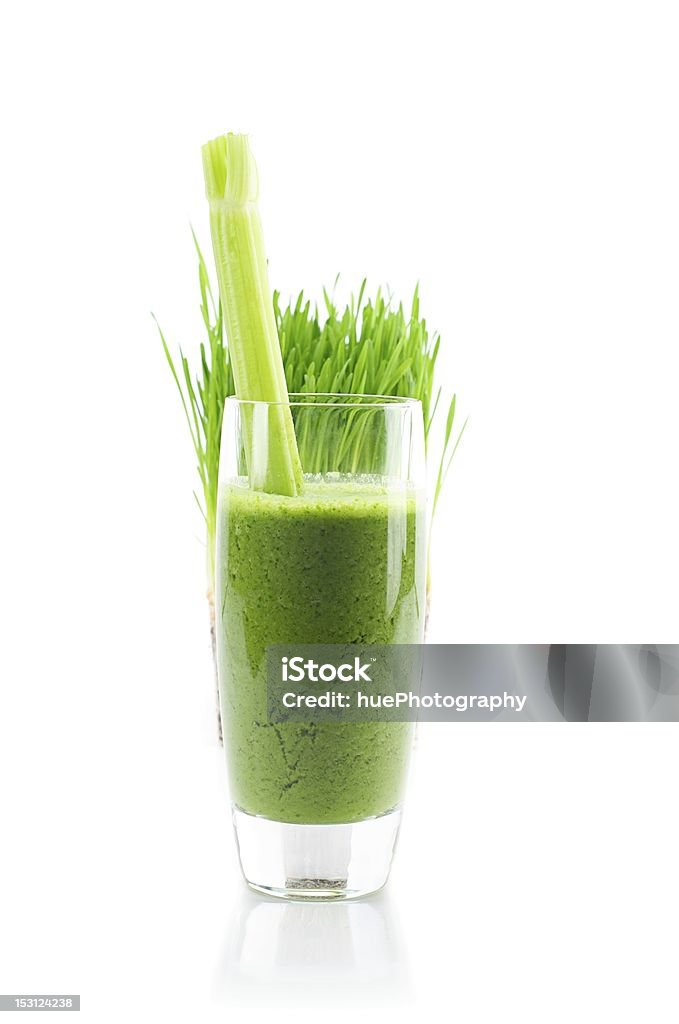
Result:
[{"x": 316, "y": 863}]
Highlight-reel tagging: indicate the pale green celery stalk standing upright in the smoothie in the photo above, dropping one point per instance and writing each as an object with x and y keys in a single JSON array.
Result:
[{"x": 232, "y": 189}]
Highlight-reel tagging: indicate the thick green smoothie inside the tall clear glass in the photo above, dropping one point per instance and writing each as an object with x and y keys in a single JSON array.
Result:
[{"x": 345, "y": 563}]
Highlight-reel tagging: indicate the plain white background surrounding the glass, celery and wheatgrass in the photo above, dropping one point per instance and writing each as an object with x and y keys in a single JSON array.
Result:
[{"x": 522, "y": 161}]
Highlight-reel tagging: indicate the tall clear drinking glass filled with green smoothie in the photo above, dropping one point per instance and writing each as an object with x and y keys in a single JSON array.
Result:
[{"x": 317, "y": 806}]
